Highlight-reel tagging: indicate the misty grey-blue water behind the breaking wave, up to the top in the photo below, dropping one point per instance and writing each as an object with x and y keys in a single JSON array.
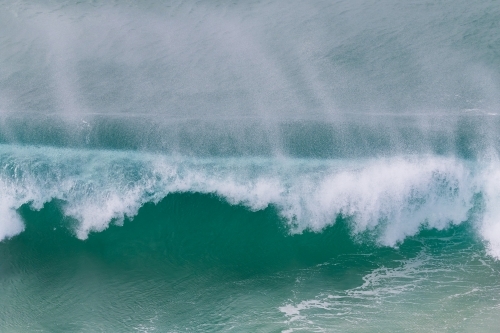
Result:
[{"x": 250, "y": 74}]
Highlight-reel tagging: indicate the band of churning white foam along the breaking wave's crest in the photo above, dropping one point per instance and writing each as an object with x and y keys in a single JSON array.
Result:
[{"x": 390, "y": 197}]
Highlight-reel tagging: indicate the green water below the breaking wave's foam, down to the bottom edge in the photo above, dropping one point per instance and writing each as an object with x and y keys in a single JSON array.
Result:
[{"x": 195, "y": 263}]
